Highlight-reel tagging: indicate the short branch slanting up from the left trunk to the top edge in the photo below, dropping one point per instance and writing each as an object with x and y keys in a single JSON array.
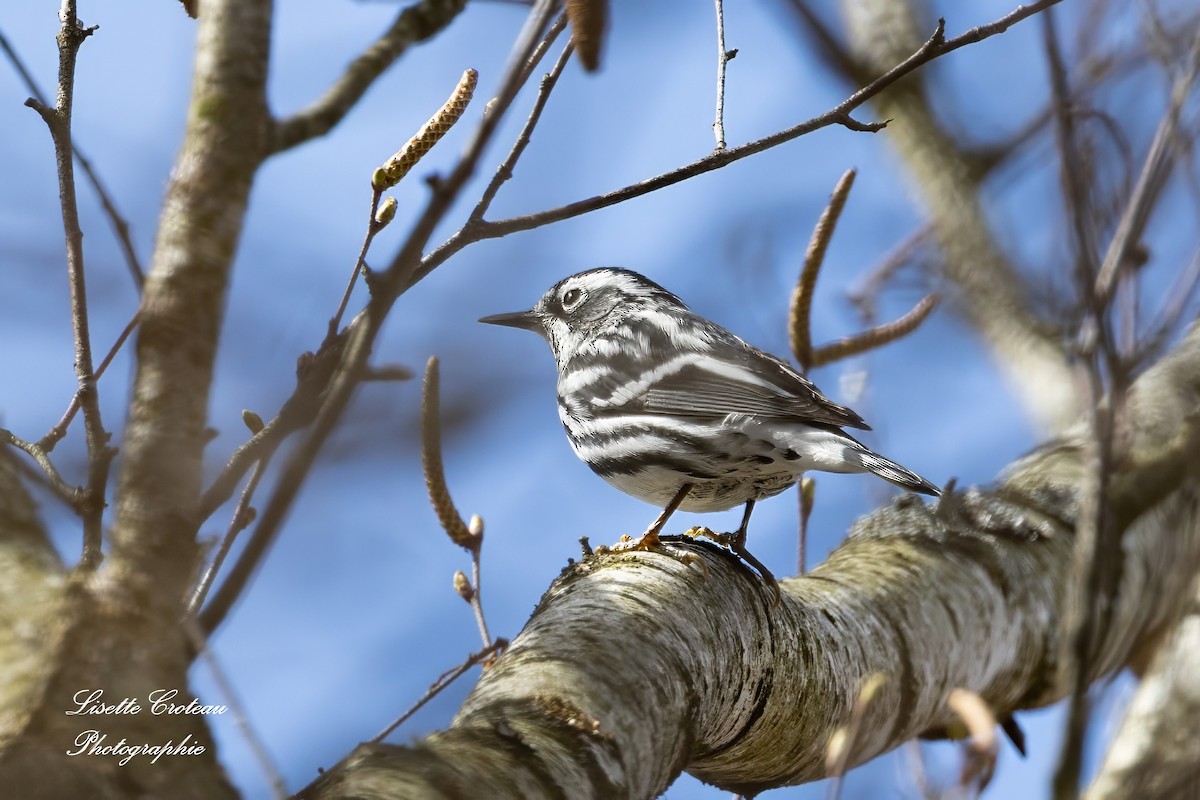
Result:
[{"x": 417, "y": 23}]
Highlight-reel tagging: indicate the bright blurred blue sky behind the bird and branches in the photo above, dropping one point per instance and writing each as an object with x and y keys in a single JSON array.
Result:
[{"x": 353, "y": 615}]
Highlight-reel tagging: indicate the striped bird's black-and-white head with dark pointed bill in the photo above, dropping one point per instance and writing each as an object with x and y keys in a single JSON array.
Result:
[{"x": 585, "y": 305}]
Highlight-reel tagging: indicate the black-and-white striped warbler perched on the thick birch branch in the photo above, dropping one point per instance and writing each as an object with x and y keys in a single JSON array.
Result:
[{"x": 676, "y": 411}]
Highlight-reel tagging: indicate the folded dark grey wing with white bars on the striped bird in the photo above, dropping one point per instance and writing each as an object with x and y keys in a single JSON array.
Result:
[{"x": 754, "y": 383}]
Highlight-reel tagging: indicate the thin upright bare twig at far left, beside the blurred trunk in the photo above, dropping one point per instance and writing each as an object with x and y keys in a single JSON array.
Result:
[{"x": 100, "y": 456}]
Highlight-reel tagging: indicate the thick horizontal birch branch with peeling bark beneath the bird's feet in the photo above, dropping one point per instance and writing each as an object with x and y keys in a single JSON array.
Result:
[{"x": 637, "y": 667}]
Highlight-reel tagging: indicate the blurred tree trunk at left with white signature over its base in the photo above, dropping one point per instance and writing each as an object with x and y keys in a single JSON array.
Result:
[{"x": 118, "y": 628}]
